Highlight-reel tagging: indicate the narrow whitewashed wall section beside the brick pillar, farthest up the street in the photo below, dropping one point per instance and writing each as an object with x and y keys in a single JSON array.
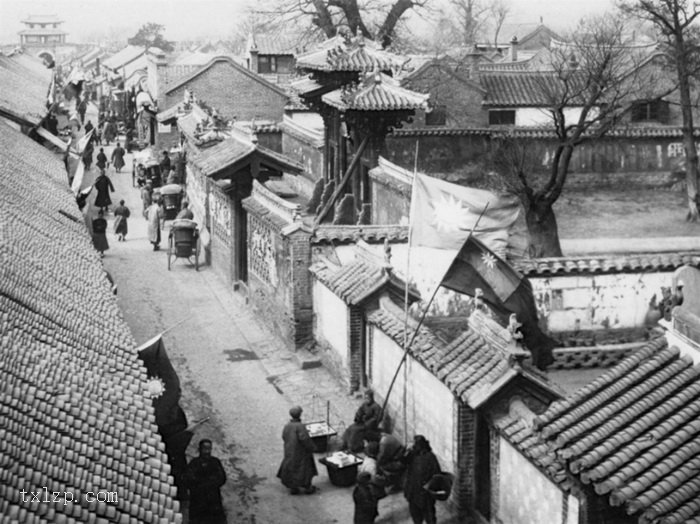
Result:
[{"x": 331, "y": 321}]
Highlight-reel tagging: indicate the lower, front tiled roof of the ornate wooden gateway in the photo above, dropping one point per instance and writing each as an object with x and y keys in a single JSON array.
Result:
[{"x": 377, "y": 92}]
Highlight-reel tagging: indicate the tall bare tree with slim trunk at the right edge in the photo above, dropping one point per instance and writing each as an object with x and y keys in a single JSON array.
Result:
[{"x": 674, "y": 21}]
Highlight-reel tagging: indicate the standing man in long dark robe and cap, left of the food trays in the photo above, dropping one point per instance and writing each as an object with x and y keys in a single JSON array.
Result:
[{"x": 297, "y": 468}]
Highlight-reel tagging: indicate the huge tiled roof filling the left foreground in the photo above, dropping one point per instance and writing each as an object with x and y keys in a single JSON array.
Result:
[{"x": 73, "y": 413}]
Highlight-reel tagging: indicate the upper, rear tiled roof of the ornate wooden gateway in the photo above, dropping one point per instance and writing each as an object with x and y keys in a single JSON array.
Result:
[{"x": 355, "y": 54}]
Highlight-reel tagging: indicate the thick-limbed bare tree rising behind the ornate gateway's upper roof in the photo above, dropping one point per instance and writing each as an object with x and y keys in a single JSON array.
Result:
[{"x": 374, "y": 19}]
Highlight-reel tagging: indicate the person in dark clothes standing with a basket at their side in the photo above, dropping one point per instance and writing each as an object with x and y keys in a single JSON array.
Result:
[{"x": 422, "y": 464}]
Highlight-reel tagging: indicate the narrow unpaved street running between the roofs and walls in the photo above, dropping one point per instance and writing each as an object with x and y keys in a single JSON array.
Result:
[{"x": 233, "y": 372}]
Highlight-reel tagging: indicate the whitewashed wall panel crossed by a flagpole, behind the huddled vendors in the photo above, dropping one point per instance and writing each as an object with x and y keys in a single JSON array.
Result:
[{"x": 430, "y": 408}]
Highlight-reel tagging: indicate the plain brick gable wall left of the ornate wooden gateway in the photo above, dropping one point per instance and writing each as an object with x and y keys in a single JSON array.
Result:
[{"x": 233, "y": 93}]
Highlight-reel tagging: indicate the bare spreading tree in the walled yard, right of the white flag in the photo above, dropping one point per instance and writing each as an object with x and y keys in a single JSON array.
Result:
[{"x": 591, "y": 84}]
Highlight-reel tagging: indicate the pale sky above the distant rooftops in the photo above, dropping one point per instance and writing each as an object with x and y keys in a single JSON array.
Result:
[{"x": 193, "y": 19}]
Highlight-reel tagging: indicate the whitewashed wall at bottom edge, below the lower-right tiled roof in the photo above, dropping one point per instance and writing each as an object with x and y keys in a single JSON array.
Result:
[{"x": 525, "y": 495}]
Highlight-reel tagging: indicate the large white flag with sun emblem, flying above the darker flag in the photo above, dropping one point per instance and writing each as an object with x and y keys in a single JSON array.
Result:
[{"x": 443, "y": 214}]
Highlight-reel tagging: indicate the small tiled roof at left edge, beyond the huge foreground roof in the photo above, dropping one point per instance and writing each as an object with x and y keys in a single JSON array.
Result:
[{"x": 21, "y": 94}]
